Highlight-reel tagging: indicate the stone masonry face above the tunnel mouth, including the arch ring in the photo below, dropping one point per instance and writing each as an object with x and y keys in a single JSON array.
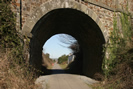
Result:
[{"x": 101, "y": 11}]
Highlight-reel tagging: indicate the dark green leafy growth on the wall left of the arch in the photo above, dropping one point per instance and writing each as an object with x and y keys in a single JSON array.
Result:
[{"x": 9, "y": 37}]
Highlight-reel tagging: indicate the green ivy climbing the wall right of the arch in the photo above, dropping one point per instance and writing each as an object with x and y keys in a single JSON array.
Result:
[{"x": 120, "y": 40}]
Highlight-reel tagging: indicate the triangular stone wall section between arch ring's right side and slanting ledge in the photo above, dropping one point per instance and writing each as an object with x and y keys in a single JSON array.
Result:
[{"x": 105, "y": 16}]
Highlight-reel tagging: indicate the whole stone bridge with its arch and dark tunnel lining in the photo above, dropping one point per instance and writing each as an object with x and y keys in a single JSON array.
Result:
[{"x": 89, "y": 21}]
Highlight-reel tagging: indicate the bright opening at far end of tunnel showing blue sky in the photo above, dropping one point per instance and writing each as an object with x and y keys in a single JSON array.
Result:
[{"x": 59, "y": 49}]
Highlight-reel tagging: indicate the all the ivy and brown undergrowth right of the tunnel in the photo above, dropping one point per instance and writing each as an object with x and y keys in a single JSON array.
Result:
[{"x": 118, "y": 66}]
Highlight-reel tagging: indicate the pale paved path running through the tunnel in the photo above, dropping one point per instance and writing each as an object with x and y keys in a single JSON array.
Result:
[{"x": 60, "y": 80}]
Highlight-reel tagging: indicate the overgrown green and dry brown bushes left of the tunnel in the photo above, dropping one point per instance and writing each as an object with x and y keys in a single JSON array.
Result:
[{"x": 14, "y": 72}]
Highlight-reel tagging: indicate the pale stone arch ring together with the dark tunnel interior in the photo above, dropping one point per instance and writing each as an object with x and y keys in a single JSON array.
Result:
[{"x": 76, "y": 20}]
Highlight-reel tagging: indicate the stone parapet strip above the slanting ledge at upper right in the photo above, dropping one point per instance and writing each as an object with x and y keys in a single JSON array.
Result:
[{"x": 114, "y": 5}]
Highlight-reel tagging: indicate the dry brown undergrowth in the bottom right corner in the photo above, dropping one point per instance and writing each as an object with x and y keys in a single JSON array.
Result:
[{"x": 121, "y": 77}]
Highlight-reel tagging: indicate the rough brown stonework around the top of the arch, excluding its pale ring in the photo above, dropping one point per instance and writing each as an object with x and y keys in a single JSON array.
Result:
[{"x": 103, "y": 8}]
